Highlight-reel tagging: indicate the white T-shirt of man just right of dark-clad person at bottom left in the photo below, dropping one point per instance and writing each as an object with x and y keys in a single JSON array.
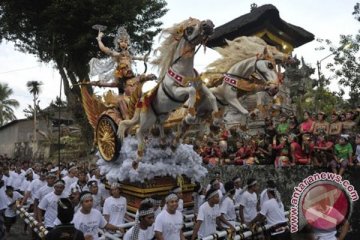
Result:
[{"x": 89, "y": 223}]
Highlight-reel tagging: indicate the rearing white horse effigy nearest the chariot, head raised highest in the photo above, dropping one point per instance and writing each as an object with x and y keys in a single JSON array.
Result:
[{"x": 178, "y": 80}]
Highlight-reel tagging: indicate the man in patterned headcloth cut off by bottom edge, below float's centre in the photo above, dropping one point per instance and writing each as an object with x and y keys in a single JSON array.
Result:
[{"x": 143, "y": 228}]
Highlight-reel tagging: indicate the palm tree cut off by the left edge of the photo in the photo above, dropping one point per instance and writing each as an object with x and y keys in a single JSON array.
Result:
[{"x": 7, "y": 104}]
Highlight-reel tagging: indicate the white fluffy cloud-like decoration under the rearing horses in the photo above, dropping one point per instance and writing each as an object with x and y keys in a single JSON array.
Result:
[{"x": 157, "y": 161}]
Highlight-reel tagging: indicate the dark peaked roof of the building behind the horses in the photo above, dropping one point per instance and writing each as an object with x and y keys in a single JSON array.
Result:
[{"x": 260, "y": 18}]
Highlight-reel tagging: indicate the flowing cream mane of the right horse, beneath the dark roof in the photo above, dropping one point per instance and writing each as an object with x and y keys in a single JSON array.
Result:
[{"x": 237, "y": 50}]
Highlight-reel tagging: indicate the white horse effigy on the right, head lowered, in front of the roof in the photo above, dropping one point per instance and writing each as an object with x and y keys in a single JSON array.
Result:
[{"x": 238, "y": 72}]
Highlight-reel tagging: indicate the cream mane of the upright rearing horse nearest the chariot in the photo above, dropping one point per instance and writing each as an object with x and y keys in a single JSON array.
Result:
[{"x": 168, "y": 47}]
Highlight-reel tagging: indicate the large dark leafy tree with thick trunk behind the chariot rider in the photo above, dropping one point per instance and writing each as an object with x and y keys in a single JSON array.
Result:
[{"x": 61, "y": 32}]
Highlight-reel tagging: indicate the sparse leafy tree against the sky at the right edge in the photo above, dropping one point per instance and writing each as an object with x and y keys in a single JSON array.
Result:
[{"x": 346, "y": 65}]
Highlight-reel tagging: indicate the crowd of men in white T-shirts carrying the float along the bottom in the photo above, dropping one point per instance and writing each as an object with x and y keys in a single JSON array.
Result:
[{"x": 78, "y": 204}]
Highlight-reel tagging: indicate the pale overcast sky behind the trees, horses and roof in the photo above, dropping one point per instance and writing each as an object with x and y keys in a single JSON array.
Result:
[{"x": 323, "y": 18}]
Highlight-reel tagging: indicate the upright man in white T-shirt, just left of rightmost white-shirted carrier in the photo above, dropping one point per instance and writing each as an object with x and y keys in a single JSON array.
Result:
[{"x": 249, "y": 205}]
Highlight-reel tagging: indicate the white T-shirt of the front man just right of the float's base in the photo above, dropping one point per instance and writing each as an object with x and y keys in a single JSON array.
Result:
[{"x": 208, "y": 217}]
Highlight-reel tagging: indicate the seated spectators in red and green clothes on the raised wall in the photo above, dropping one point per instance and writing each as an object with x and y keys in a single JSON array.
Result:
[{"x": 325, "y": 141}]
